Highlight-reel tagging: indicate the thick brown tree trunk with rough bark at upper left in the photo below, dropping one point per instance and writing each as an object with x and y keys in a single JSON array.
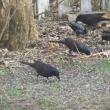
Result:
[{"x": 18, "y": 27}]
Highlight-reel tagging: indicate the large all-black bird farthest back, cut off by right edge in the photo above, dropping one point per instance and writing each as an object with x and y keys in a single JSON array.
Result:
[{"x": 91, "y": 19}]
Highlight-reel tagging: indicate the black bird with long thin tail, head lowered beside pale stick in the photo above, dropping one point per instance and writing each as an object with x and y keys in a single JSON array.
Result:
[{"x": 75, "y": 46}]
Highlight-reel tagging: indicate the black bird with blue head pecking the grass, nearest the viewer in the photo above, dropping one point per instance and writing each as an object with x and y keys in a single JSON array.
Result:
[{"x": 43, "y": 69}]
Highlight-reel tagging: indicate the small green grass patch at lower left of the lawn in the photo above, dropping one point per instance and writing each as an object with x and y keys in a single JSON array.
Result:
[{"x": 14, "y": 91}]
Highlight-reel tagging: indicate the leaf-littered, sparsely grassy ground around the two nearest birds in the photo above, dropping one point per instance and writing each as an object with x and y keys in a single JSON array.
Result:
[{"x": 85, "y": 81}]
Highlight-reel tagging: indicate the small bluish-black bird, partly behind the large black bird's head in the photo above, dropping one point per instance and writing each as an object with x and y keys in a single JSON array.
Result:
[{"x": 78, "y": 28}]
